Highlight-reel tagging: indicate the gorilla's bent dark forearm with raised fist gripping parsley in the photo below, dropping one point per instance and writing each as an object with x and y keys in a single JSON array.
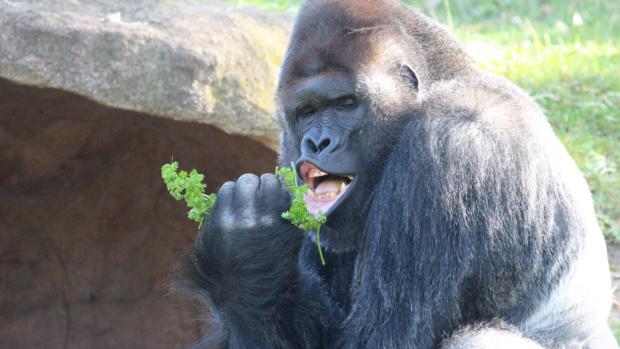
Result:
[{"x": 244, "y": 265}]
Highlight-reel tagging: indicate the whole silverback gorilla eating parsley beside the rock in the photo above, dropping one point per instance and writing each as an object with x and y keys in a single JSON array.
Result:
[{"x": 456, "y": 219}]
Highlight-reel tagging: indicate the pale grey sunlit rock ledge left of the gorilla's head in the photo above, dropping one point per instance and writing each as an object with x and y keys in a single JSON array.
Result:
[{"x": 191, "y": 60}]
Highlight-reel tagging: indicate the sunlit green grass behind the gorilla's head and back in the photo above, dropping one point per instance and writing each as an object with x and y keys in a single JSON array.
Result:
[{"x": 572, "y": 69}]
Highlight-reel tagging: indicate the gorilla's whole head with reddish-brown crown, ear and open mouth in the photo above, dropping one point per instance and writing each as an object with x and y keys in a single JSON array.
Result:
[{"x": 352, "y": 76}]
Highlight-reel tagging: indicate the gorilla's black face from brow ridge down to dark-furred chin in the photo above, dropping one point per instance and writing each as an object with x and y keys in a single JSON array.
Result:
[{"x": 329, "y": 126}]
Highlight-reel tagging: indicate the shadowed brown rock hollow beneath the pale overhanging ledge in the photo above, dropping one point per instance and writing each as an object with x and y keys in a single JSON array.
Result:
[{"x": 89, "y": 236}]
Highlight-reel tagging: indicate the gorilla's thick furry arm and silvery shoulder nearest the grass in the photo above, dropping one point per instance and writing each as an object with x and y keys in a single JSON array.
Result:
[{"x": 468, "y": 223}]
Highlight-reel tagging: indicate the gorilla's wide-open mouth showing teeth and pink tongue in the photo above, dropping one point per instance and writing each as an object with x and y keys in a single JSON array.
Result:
[{"x": 325, "y": 190}]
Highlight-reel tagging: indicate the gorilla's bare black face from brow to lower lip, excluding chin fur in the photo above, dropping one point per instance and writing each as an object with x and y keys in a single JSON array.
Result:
[{"x": 327, "y": 118}]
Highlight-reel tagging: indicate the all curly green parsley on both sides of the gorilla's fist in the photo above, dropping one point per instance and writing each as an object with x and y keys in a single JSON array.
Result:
[{"x": 189, "y": 186}]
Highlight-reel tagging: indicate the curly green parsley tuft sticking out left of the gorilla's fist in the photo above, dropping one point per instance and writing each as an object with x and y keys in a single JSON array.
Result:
[{"x": 189, "y": 187}]
